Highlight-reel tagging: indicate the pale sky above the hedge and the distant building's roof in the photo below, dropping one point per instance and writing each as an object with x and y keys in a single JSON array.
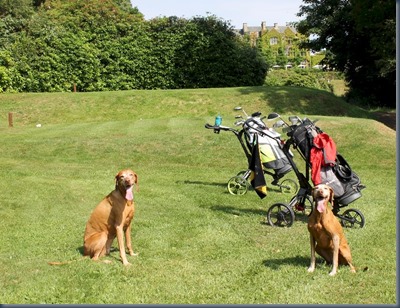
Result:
[{"x": 237, "y": 12}]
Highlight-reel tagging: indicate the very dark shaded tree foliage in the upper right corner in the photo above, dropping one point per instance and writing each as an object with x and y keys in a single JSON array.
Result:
[{"x": 362, "y": 39}]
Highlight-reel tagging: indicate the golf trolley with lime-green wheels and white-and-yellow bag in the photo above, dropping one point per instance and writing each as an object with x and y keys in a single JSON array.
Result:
[{"x": 271, "y": 152}]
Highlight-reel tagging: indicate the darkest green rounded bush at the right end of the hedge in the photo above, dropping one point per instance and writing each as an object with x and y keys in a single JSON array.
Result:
[{"x": 221, "y": 58}]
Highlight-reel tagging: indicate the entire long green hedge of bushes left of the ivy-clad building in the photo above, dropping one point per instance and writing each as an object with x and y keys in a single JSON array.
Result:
[{"x": 100, "y": 45}]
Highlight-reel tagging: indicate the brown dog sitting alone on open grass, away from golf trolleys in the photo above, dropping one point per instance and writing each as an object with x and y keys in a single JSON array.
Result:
[{"x": 112, "y": 218}]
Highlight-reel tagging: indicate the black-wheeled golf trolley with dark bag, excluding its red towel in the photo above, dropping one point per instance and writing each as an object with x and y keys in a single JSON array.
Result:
[{"x": 345, "y": 183}]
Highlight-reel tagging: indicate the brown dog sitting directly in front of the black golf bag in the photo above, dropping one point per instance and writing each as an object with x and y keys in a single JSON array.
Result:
[{"x": 326, "y": 233}]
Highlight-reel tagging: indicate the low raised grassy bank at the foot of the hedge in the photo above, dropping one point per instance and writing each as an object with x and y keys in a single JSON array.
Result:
[{"x": 69, "y": 108}]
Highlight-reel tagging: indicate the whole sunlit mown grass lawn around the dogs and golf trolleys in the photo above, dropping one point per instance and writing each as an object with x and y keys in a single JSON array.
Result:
[{"x": 196, "y": 242}]
